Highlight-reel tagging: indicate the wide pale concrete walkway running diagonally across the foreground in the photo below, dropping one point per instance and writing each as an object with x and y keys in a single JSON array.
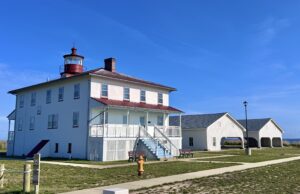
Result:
[{"x": 182, "y": 177}]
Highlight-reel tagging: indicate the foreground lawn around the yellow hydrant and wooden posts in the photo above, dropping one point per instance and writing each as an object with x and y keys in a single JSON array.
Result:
[{"x": 56, "y": 178}]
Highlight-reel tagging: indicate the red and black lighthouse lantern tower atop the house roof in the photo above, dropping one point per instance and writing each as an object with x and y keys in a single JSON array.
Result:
[{"x": 73, "y": 64}]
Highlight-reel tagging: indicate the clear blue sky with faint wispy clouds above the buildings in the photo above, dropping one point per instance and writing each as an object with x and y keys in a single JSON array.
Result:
[{"x": 216, "y": 53}]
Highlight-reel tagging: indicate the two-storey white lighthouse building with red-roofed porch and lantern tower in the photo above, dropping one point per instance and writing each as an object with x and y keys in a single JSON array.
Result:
[{"x": 96, "y": 115}]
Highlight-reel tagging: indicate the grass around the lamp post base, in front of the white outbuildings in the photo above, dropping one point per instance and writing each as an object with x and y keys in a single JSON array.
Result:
[{"x": 258, "y": 155}]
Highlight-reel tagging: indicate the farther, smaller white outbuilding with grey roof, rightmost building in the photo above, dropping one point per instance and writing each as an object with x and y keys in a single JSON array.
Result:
[{"x": 263, "y": 132}]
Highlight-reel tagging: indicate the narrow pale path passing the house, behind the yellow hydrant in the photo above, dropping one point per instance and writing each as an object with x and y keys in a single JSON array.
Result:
[{"x": 95, "y": 166}]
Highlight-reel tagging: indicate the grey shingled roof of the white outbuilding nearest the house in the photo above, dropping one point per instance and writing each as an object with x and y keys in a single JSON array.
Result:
[{"x": 196, "y": 121}]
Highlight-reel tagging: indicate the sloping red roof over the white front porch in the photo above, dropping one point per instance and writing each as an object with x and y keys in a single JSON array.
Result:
[{"x": 109, "y": 102}]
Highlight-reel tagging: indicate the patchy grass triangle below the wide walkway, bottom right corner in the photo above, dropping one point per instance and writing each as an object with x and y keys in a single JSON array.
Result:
[{"x": 279, "y": 178}]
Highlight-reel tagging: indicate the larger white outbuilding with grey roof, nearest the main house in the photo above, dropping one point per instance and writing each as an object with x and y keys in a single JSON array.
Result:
[{"x": 208, "y": 131}]
